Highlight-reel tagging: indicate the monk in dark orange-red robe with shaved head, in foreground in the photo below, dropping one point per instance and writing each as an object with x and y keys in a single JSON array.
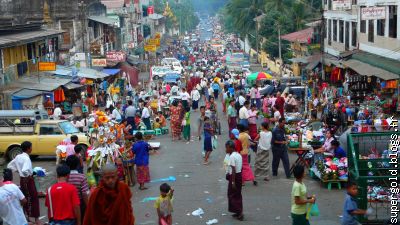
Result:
[{"x": 110, "y": 203}]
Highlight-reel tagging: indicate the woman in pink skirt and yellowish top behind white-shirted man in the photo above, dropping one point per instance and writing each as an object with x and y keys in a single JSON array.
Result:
[{"x": 244, "y": 138}]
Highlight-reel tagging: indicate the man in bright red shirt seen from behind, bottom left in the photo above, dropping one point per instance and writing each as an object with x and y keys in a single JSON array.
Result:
[{"x": 62, "y": 200}]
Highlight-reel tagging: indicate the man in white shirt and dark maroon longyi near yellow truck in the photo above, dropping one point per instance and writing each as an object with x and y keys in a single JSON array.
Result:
[{"x": 23, "y": 165}]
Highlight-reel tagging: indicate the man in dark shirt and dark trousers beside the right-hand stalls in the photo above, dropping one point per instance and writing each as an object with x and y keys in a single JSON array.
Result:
[{"x": 279, "y": 149}]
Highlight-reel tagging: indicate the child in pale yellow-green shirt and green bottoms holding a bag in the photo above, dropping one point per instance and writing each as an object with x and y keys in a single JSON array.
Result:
[{"x": 299, "y": 198}]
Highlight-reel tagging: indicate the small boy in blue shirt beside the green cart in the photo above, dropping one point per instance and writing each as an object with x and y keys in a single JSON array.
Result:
[{"x": 350, "y": 209}]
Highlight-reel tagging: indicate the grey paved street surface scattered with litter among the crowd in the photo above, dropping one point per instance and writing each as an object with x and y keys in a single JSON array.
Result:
[{"x": 199, "y": 186}]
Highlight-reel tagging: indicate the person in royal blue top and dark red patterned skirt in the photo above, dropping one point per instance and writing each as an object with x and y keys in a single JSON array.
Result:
[{"x": 141, "y": 150}]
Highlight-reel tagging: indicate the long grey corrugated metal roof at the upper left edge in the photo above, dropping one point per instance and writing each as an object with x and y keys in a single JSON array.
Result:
[{"x": 14, "y": 39}]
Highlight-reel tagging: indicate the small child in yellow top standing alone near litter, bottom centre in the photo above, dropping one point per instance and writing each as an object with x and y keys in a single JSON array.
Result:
[{"x": 163, "y": 204}]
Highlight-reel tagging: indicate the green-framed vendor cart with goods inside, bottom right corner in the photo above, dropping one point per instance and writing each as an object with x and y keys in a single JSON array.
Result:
[{"x": 372, "y": 169}]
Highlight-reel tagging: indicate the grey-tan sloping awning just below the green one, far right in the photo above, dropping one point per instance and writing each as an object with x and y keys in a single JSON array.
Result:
[{"x": 369, "y": 70}]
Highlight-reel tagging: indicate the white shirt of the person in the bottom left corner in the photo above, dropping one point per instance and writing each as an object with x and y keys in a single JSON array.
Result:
[{"x": 11, "y": 211}]
